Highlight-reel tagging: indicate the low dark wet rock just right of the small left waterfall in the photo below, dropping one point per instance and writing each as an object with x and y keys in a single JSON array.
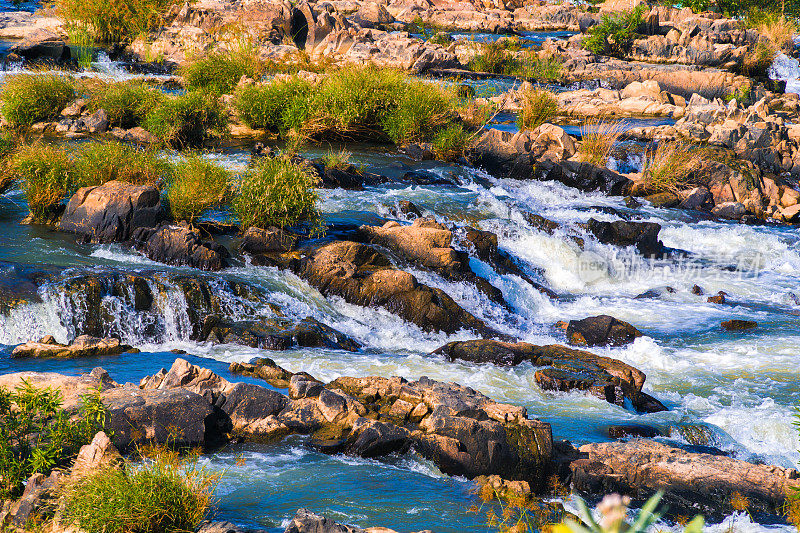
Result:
[{"x": 276, "y": 334}]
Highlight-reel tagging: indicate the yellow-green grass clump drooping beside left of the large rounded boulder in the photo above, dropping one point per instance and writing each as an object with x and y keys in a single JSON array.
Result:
[{"x": 49, "y": 176}]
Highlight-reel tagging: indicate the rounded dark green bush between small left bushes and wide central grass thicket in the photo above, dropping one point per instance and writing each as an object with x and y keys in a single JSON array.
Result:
[{"x": 188, "y": 120}]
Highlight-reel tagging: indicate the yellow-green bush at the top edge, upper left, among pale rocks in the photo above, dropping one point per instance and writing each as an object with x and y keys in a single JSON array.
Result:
[{"x": 113, "y": 20}]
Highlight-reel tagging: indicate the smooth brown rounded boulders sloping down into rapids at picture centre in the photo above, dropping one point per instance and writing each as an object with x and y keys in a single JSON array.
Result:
[{"x": 363, "y": 276}]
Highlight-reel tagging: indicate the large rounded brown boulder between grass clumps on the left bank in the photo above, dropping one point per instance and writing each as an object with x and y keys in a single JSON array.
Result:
[{"x": 112, "y": 211}]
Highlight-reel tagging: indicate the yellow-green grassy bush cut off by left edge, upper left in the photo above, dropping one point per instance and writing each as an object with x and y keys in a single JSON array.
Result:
[{"x": 29, "y": 98}]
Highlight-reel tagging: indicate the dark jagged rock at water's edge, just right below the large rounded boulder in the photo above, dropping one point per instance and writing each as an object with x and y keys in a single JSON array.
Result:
[{"x": 179, "y": 244}]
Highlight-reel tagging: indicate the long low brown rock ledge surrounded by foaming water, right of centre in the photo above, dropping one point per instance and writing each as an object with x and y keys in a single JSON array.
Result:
[{"x": 565, "y": 369}]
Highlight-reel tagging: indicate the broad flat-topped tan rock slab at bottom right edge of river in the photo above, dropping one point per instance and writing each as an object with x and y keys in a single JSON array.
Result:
[{"x": 694, "y": 482}]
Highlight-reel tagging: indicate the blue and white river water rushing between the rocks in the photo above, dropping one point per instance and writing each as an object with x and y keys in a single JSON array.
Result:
[{"x": 737, "y": 390}]
